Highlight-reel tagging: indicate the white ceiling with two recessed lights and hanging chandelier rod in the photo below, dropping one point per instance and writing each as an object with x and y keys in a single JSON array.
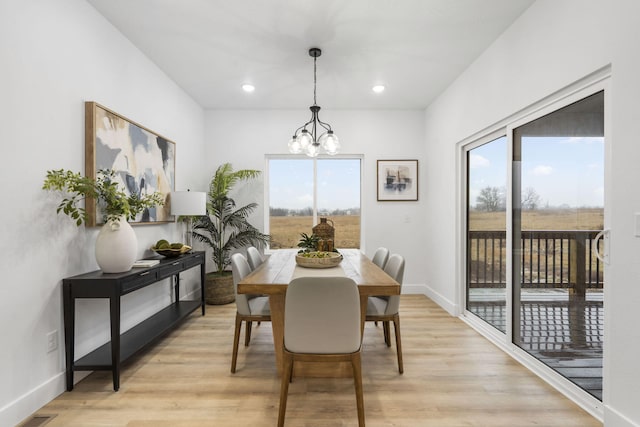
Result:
[{"x": 416, "y": 48}]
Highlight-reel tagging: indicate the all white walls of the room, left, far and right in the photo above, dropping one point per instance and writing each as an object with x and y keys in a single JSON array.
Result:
[{"x": 56, "y": 55}]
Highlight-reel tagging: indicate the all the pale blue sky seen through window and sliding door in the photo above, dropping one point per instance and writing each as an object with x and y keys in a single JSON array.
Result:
[{"x": 562, "y": 171}]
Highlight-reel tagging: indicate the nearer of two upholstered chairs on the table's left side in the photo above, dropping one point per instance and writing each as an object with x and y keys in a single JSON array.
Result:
[{"x": 248, "y": 308}]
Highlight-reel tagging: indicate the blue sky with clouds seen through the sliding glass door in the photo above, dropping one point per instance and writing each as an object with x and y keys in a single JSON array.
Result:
[{"x": 562, "y": 170}]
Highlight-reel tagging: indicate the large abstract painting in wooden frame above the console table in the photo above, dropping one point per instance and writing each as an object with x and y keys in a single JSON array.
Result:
[{"x": 144, "y": 161}]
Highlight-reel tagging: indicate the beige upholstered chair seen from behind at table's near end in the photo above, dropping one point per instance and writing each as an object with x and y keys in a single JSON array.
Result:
[{"x": 322, "y": 324}]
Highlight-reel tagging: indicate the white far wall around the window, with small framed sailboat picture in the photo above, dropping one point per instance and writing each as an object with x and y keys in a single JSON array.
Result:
[{"x": 244, "y": 137}]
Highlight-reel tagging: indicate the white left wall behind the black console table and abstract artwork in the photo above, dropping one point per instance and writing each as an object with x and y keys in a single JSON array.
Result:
[{"x": 55, "y": 56}]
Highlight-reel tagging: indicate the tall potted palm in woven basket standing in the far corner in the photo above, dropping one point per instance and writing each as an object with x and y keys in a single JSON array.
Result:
[{"x": 226, "y": 228}]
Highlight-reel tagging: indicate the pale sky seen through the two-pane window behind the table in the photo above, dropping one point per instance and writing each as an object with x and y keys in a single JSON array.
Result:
[{"x": 291, "y": 183}]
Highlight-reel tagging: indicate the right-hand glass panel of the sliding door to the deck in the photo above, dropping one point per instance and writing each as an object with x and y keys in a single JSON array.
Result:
[{"x": 558, "y": 209}]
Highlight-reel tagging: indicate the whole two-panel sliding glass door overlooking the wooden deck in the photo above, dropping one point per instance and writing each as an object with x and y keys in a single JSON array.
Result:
[{"x": 535, "y": 206}]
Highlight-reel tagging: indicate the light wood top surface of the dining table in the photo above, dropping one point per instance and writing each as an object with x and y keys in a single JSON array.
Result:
[{"x": 274, "y": 274}]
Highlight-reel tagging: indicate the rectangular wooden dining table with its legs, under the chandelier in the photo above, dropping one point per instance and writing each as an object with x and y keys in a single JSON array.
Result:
[{"x": 272, "y": 278}]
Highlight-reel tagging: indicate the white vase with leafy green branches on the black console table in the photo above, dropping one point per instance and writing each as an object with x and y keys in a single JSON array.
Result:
[{"x": 116, "y": 244}]
